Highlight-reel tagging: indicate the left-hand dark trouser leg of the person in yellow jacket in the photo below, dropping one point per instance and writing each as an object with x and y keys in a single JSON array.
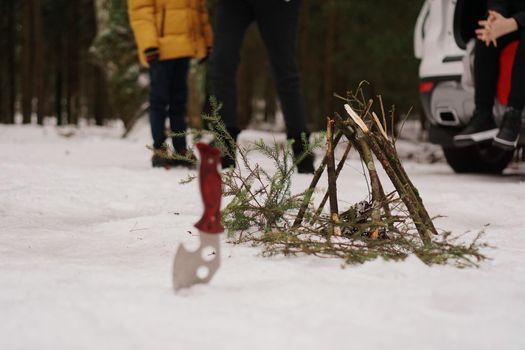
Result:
[{"x": 158, "y": 102}]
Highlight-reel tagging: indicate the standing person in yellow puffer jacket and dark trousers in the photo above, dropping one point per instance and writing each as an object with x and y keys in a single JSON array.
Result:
[{"x": 168, "y": 35}]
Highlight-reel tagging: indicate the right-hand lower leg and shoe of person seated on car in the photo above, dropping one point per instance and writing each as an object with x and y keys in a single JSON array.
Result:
[{"x": 509, "y": 131}]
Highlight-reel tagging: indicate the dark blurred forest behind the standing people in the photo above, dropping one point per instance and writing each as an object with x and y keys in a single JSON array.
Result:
[{"x": 66, "y": 61}]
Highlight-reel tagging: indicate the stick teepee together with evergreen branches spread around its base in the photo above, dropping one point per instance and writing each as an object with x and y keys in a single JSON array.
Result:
[{"x": 393, "y": 225}]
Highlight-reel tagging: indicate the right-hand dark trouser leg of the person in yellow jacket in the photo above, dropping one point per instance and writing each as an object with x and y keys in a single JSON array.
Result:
[{"x": 178, "y": 98}]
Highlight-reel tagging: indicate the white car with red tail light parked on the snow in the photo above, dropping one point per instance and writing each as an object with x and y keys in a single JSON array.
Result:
[{"x": 443, "y": 41}]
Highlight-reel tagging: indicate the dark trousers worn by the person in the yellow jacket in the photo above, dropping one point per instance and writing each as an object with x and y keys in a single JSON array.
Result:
[{"x": 167, "y": 99}]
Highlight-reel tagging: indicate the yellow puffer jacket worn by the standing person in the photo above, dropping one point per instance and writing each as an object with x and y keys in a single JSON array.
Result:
[{"x": 178, "y": 28}]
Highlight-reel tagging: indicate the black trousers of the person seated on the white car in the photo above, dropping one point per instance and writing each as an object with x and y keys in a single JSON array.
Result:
[{"x": 486, "y": 72}]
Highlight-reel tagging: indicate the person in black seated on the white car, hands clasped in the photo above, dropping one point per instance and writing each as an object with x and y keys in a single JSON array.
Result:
[{"x": 505, "y": 23}]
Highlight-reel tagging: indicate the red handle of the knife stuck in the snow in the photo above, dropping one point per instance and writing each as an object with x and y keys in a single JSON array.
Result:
[{"x": 211, "y": 189}]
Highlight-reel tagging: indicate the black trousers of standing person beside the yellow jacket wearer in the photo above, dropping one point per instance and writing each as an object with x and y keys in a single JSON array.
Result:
[{"x": 277, "y": 21}]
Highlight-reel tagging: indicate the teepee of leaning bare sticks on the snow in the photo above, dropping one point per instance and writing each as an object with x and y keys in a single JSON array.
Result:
[{"x": 369, "y": 140}]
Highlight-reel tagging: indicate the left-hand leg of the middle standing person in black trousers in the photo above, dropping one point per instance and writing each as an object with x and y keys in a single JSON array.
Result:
[{"x": 232, "y": 19}]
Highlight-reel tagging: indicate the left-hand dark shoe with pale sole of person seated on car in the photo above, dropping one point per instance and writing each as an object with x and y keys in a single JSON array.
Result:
[{"x": 480, "y": 128}]
